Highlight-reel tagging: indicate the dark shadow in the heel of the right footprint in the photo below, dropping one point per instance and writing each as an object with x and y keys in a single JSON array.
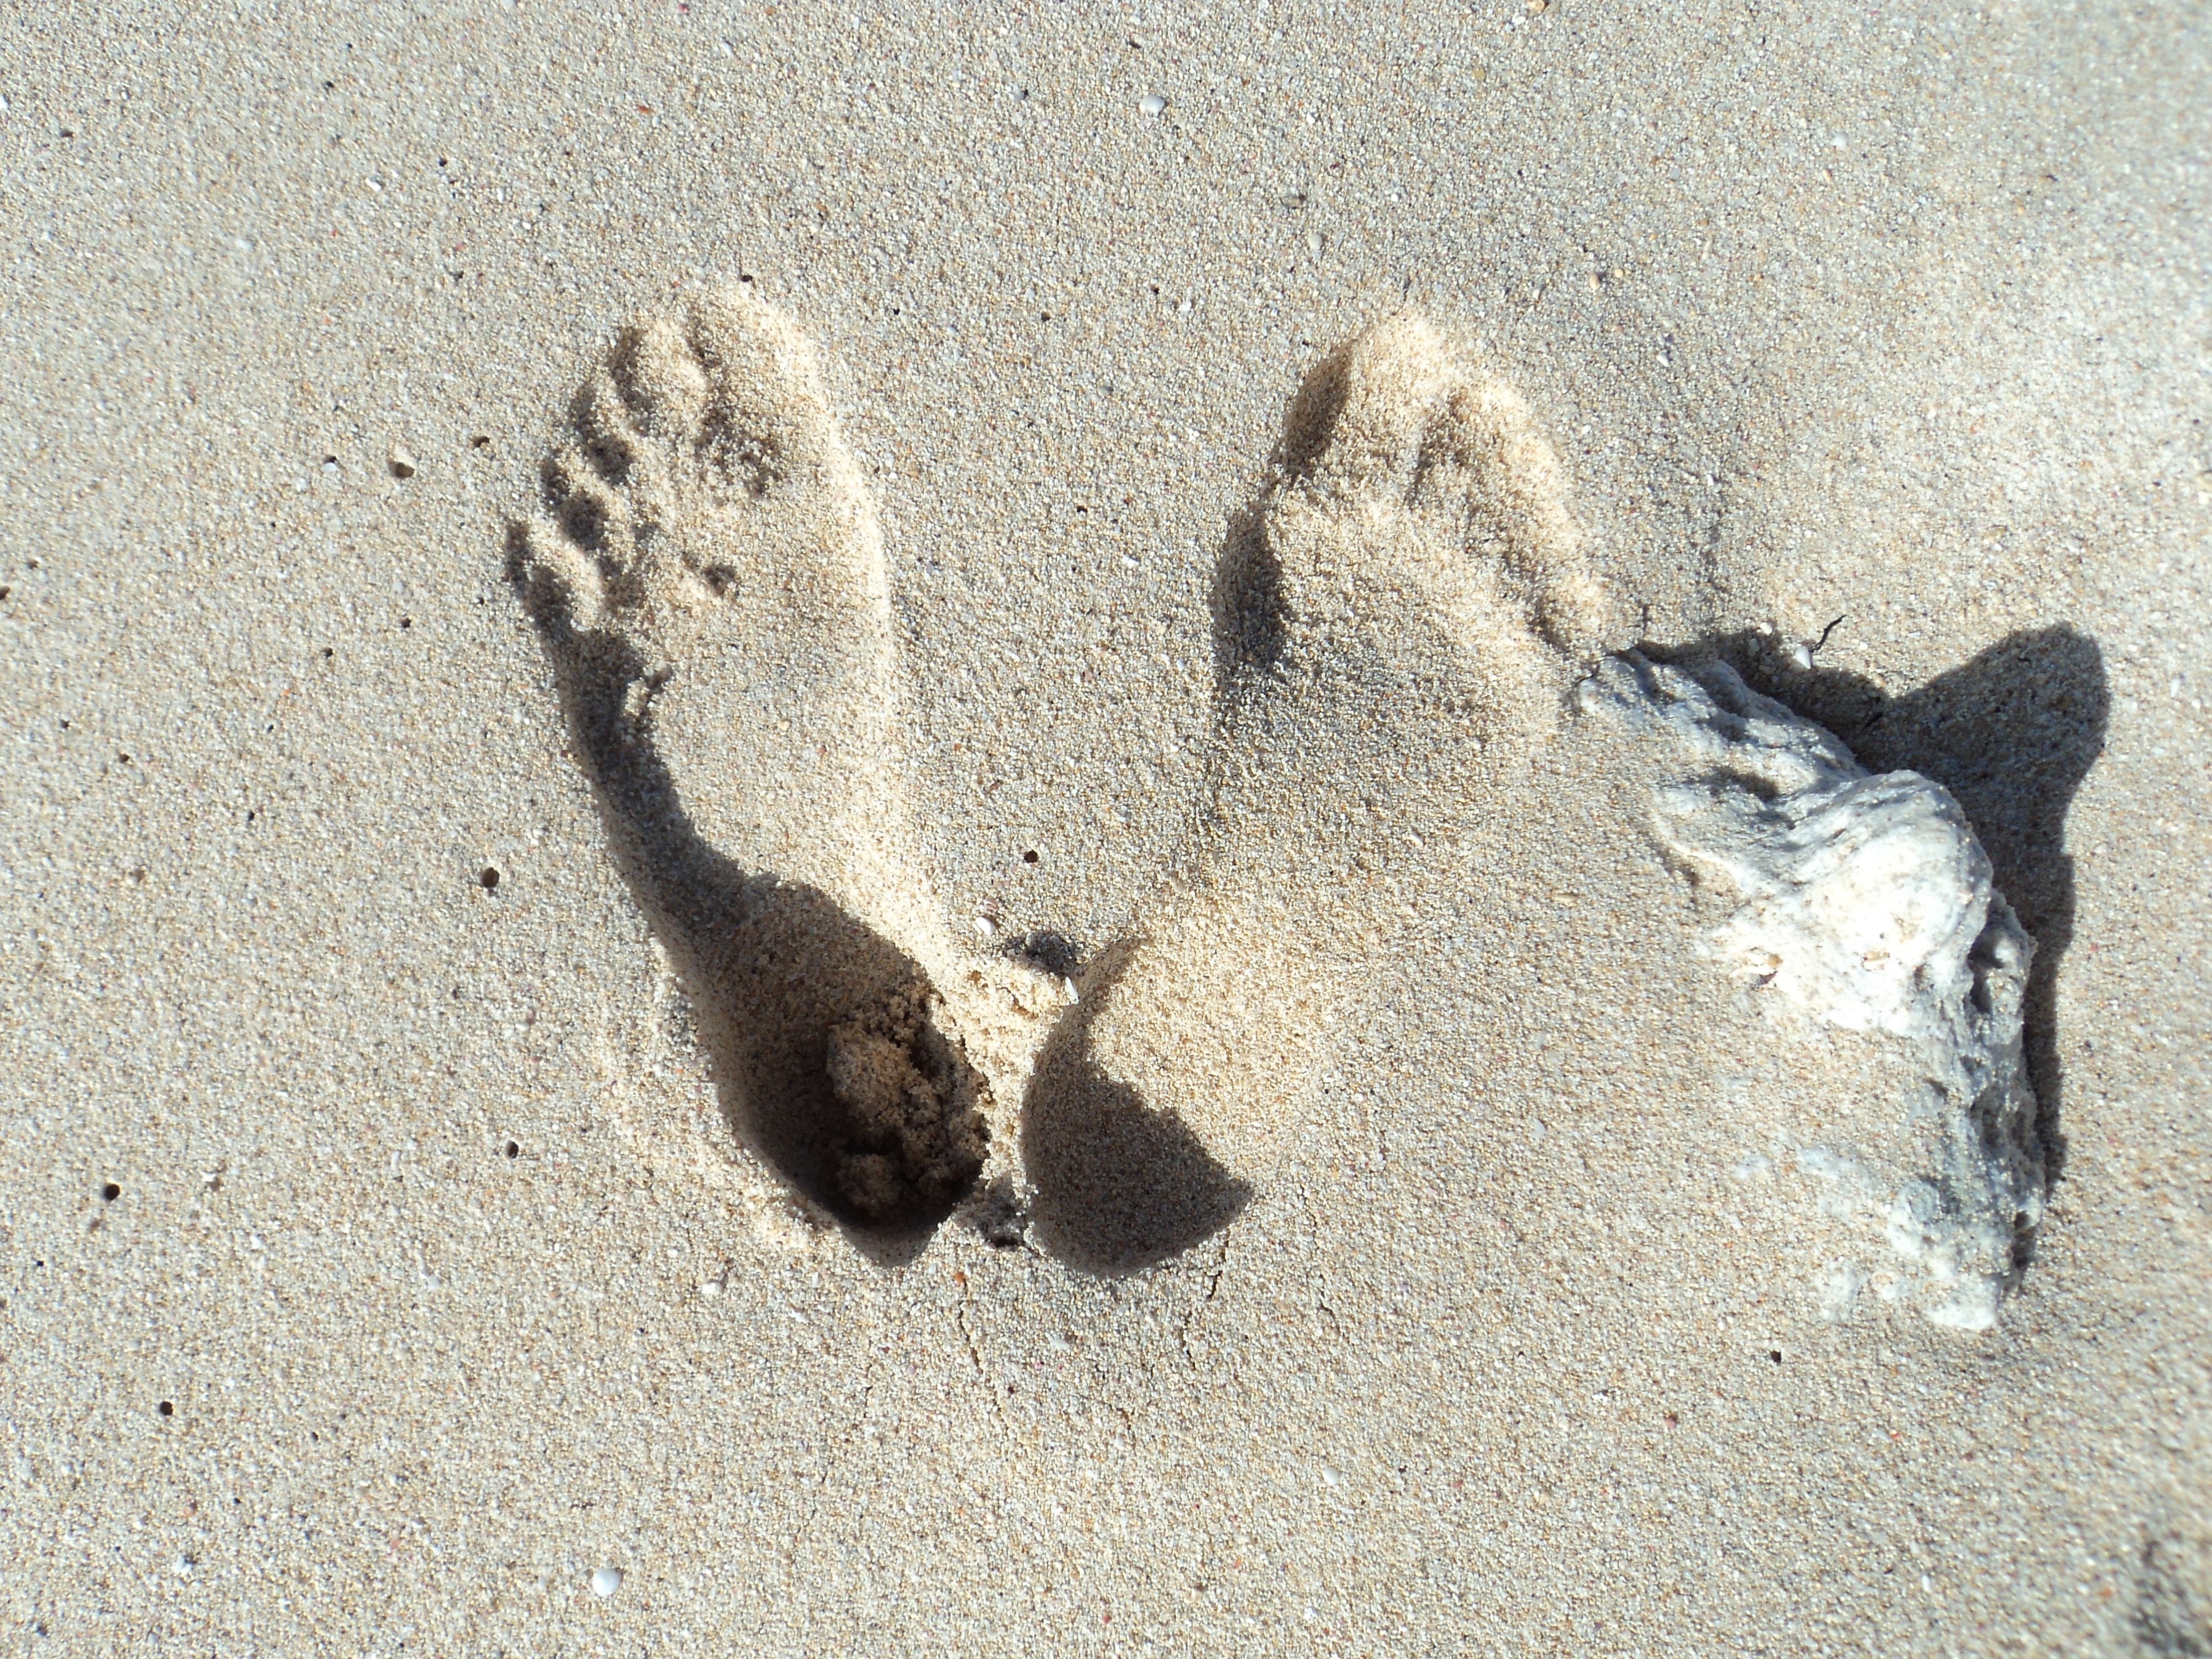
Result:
[{"x": 1116, "y": 1185}]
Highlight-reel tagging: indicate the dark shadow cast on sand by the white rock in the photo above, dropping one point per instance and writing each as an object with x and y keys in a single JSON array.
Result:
[{"x": 2010, "y": 733}]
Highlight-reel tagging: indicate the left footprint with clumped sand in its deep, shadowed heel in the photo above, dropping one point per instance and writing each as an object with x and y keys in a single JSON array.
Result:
[{"x": 709, "y": 581}]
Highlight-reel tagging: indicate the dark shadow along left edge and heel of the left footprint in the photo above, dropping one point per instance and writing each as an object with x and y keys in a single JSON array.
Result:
[{"x": 773, "y": 968}]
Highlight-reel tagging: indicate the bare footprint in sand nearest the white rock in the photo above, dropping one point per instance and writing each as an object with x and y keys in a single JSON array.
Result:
[{"x": 1397, "y": 627}]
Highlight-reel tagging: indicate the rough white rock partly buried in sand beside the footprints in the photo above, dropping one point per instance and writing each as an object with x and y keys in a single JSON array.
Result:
[{"x": 1868, "y": 904}]
